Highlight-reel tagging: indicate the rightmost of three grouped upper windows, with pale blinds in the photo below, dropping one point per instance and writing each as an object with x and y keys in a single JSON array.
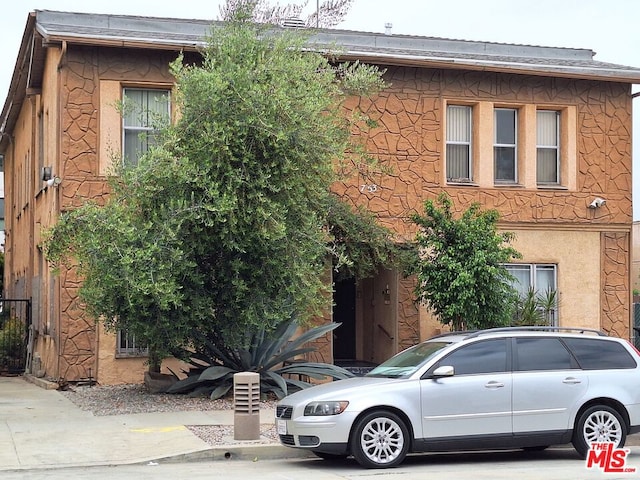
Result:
[{"x": 548, "y": 146}]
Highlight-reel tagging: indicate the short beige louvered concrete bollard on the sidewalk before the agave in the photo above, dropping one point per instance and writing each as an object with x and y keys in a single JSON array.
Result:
[{"x": 246, "y": 401}]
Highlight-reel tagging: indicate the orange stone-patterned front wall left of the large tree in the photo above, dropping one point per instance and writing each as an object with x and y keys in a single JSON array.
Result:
[{"x": 83, "y": 69}]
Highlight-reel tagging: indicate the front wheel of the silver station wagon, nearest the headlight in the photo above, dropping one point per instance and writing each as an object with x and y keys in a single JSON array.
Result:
[{"x": 380, "y": 440}]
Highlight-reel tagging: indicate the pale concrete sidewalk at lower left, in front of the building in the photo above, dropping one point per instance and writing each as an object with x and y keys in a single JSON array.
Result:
[{"x": 41, "y": 428}]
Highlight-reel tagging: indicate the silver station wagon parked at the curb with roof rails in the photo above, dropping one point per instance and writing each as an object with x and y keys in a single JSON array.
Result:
[{"x": 524, "y": 387}]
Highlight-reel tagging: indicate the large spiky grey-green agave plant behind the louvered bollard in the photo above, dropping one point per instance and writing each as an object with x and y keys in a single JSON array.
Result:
[{"x": 273, "y": 355}]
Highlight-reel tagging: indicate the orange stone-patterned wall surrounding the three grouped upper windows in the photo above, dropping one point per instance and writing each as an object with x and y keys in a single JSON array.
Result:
[{"x": 409, "y": 140}]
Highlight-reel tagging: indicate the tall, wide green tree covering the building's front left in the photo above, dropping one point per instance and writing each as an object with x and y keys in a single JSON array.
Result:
[{"x": 224, "y": 225}]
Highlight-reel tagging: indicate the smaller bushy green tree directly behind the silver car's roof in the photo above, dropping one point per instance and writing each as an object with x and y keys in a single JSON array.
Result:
[{"x": 461, "y": 274}]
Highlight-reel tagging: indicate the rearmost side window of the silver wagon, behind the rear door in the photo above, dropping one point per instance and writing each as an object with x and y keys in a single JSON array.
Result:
[{"x": 595, "y": 354}]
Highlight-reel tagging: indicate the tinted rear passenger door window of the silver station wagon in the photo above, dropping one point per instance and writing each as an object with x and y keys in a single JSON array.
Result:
[{"x": 542, "y": 354}]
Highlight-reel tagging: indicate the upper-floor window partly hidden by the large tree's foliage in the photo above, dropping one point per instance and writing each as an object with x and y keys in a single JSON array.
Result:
[{"x": 143, "y": 111}]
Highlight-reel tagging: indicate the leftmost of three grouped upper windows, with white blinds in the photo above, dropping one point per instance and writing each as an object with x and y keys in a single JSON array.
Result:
[{"x": 459, "y": 143}]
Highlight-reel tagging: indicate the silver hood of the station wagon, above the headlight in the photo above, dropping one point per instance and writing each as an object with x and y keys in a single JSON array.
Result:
[{"x": 347, "y": 389}]
